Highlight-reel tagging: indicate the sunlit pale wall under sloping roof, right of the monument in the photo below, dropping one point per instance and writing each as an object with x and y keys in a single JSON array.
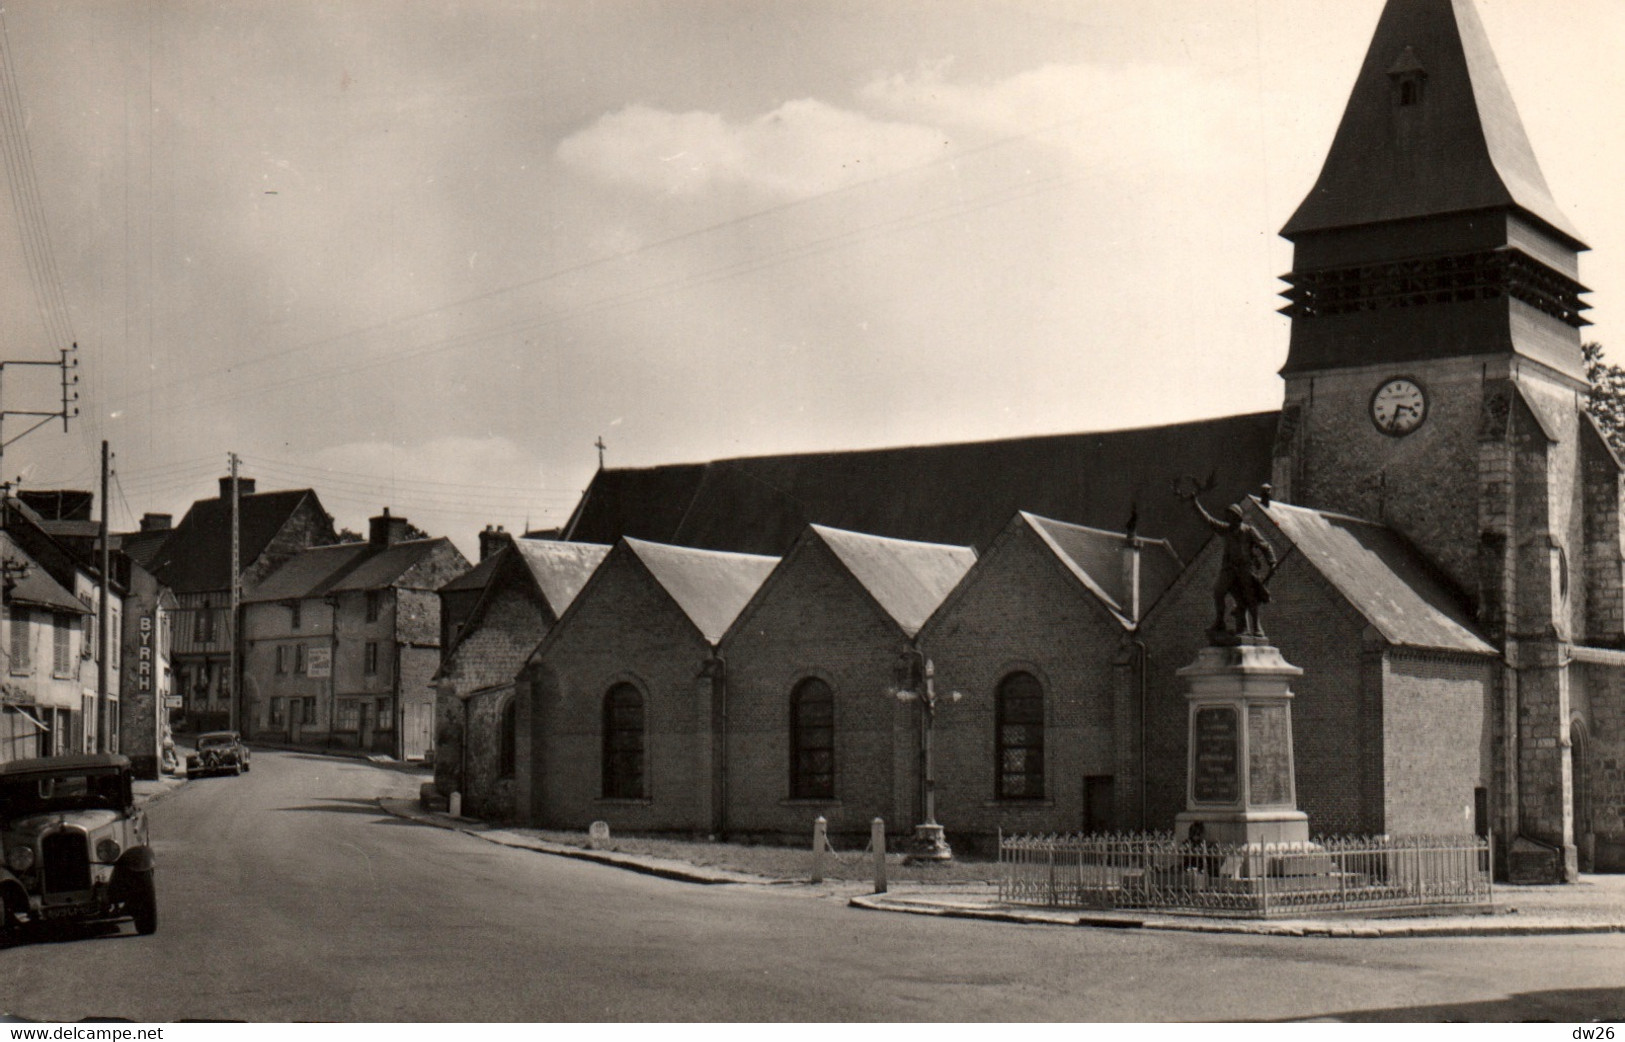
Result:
[{"x": 1436, "y": 740}]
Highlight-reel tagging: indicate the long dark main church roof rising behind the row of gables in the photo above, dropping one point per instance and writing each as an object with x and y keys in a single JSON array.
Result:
[{"x": 960, "y": 495}]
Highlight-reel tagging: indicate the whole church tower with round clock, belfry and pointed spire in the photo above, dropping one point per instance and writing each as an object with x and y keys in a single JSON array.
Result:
[{"x": 1436, "y": 378}]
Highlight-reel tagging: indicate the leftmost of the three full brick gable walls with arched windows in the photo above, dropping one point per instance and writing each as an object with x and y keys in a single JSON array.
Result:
[{"x": 622, "y": 628}]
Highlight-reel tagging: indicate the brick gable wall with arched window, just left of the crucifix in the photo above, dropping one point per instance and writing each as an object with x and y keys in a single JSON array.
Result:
[{"x": 815, "y": 620}]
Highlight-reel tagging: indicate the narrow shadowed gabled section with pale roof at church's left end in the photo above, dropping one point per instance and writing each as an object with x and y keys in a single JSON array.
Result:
[{"x": 524, "y": 588}]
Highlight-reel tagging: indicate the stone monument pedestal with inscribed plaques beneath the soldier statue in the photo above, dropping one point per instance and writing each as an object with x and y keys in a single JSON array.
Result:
[{"x": 1241, "y": 786}]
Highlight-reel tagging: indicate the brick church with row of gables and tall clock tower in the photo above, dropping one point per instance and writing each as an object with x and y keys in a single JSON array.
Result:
[{"x": 1444, "y": 511}]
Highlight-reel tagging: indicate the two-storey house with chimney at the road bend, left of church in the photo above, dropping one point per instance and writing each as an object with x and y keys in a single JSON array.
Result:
[{"x": 342, "y": 643}]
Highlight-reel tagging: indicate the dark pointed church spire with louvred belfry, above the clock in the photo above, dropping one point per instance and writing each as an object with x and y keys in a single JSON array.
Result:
[{"x": 1431, "y": 232}]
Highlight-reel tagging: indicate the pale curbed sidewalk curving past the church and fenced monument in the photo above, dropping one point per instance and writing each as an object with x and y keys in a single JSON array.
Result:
[{"x": 1597, "y": 905}]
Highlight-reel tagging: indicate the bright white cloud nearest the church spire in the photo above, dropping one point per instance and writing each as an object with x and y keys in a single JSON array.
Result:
[{"x": 1114, "y": 115}]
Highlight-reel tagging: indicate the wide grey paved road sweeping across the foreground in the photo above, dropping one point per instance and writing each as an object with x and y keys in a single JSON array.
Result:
[{"x": 287, "y": 895}]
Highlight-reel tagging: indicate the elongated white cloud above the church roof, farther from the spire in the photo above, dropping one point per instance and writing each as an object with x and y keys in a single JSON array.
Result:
[{"x": 799, "y": 150}]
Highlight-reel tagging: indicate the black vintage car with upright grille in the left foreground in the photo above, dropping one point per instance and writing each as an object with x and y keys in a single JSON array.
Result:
[{"x": 74, "y": 843}]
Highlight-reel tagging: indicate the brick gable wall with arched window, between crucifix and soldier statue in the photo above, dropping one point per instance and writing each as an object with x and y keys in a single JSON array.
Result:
[{"x": 1020, "y": 610}]
